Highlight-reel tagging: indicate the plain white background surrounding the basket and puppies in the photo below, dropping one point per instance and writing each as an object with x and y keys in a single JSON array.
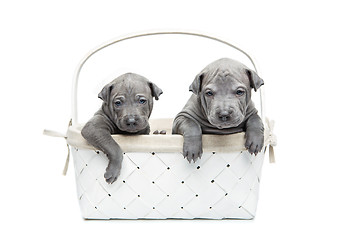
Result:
[{"x": 308, "y": 53}]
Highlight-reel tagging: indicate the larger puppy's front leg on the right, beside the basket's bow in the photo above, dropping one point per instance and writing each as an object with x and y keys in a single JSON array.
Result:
[{"x": 254, "y": 134}]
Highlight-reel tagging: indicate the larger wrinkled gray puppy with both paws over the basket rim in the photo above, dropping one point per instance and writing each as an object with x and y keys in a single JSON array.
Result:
[{"x": 220, "y": 104}]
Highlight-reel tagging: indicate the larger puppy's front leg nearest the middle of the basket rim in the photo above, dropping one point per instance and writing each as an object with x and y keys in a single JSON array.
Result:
[{"x": 191, "y": 131}]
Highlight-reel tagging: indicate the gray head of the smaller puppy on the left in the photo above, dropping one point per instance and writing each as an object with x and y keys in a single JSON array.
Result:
[{"x": 128, "y": 101}]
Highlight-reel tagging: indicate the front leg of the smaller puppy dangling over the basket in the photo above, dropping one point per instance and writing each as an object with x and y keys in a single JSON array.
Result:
[{"x": 98, "y": 134}]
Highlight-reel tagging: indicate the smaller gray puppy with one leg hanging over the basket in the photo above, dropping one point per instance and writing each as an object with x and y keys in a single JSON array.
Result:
[{"x": 126, "y": 108}]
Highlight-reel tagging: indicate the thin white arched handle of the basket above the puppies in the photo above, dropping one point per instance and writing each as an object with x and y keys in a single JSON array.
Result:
[{"x": 74, "y": 109}]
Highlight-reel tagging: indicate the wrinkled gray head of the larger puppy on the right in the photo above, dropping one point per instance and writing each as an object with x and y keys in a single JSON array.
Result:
[{"x": 224, "y": 89}]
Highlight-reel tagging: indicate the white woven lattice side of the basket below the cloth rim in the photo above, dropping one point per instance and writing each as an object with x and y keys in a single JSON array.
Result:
[{"x": 164, "y": 185}]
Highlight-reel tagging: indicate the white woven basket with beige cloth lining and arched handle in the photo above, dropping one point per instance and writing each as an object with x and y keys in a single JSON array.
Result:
[{"x": 156, "y": 182}]
